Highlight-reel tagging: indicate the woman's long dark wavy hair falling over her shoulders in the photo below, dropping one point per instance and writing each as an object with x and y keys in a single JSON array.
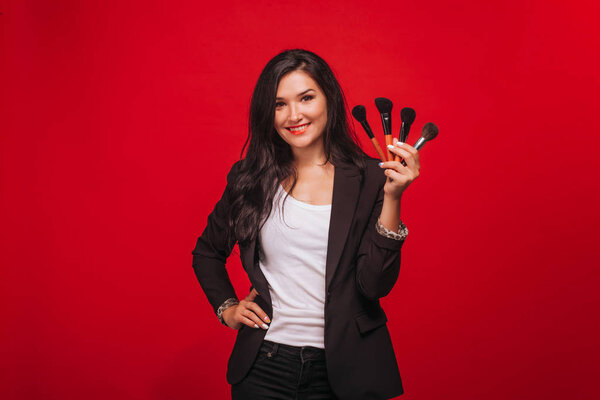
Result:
[{"x": 269, "y": 158}]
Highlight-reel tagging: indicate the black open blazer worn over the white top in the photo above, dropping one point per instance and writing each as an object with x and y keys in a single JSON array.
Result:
[{"x": 361, "y": 267}]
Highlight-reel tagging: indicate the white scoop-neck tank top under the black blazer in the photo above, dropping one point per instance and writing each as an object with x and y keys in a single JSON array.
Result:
[{"x": 292, "y": 256}]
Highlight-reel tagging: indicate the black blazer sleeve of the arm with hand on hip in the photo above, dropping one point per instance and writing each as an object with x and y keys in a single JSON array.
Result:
[{"x": 212, "y": 250}]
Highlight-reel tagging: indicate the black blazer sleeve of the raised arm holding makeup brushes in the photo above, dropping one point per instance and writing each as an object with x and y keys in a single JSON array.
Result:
[{"x": 378, "y": 258}]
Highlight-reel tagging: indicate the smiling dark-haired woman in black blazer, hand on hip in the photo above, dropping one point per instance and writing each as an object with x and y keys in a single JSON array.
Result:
[{"x": 319, "y": 231}]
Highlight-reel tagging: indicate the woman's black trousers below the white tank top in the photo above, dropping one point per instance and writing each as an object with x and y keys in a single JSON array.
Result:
[{"x": 285, "y": 372}]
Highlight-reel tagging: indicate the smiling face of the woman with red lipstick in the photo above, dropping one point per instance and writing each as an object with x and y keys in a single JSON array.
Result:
[{"x": 300, "y": 110}]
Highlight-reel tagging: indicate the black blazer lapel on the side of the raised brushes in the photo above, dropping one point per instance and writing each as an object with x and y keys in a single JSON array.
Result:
[{"x": 346, "y": 188}]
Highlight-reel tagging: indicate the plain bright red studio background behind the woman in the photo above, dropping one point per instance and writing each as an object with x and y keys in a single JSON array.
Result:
[{"x": 120, "y": 119}]
